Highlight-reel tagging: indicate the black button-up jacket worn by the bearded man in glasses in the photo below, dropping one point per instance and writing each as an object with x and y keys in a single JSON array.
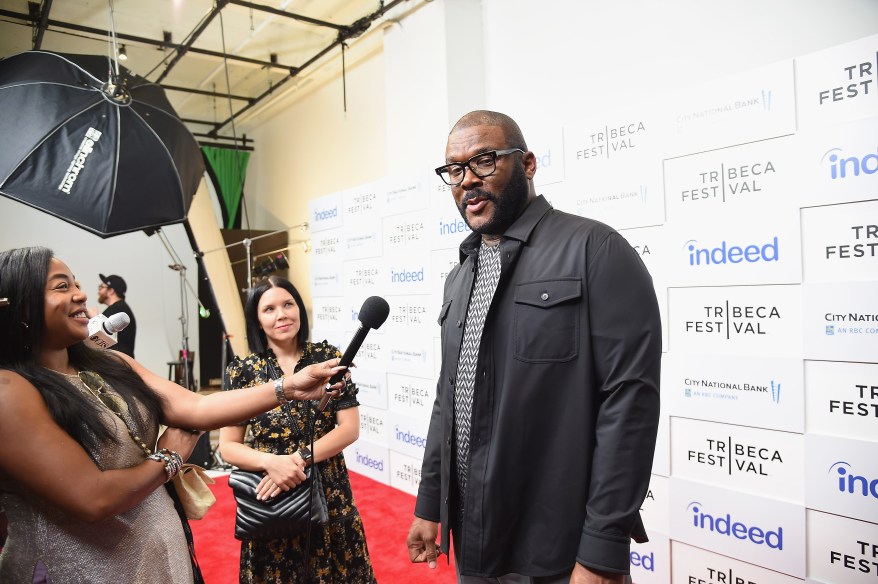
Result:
[{"x": 566, "y": 402}]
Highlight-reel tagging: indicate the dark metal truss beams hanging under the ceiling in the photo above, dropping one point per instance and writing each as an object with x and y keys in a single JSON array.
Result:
[{"x": 38, "y": 18}]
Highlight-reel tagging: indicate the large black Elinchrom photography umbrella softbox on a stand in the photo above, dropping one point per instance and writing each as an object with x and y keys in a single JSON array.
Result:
[{"x": 104, "y": 152}]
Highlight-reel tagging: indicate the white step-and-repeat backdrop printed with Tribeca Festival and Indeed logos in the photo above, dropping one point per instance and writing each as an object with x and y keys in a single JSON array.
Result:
[{"x": 753, "y": 200}]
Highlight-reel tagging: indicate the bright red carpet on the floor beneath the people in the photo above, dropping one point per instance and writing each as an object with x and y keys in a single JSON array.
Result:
[{"x": 386, "y": 512}]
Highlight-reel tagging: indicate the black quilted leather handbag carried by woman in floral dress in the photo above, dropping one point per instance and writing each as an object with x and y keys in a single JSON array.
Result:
[{"x": 290, "y": 513}]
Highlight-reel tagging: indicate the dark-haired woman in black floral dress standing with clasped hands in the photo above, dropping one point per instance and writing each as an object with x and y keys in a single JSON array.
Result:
[{"x": 277, "y": 333}]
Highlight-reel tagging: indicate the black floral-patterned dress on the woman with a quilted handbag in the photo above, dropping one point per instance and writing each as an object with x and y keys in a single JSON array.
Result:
[{"x": 338, "y": 549}]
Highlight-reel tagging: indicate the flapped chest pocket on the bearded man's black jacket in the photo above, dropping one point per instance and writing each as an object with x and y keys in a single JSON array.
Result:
[{"x": 546, "y": 321}]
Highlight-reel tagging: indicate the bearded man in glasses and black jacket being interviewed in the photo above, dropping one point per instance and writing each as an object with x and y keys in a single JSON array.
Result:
[{"x": 541, "y": 440}]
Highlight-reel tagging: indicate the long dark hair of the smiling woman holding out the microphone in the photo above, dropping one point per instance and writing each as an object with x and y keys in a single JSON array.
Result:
[{"x": 23, "y": 277}]
